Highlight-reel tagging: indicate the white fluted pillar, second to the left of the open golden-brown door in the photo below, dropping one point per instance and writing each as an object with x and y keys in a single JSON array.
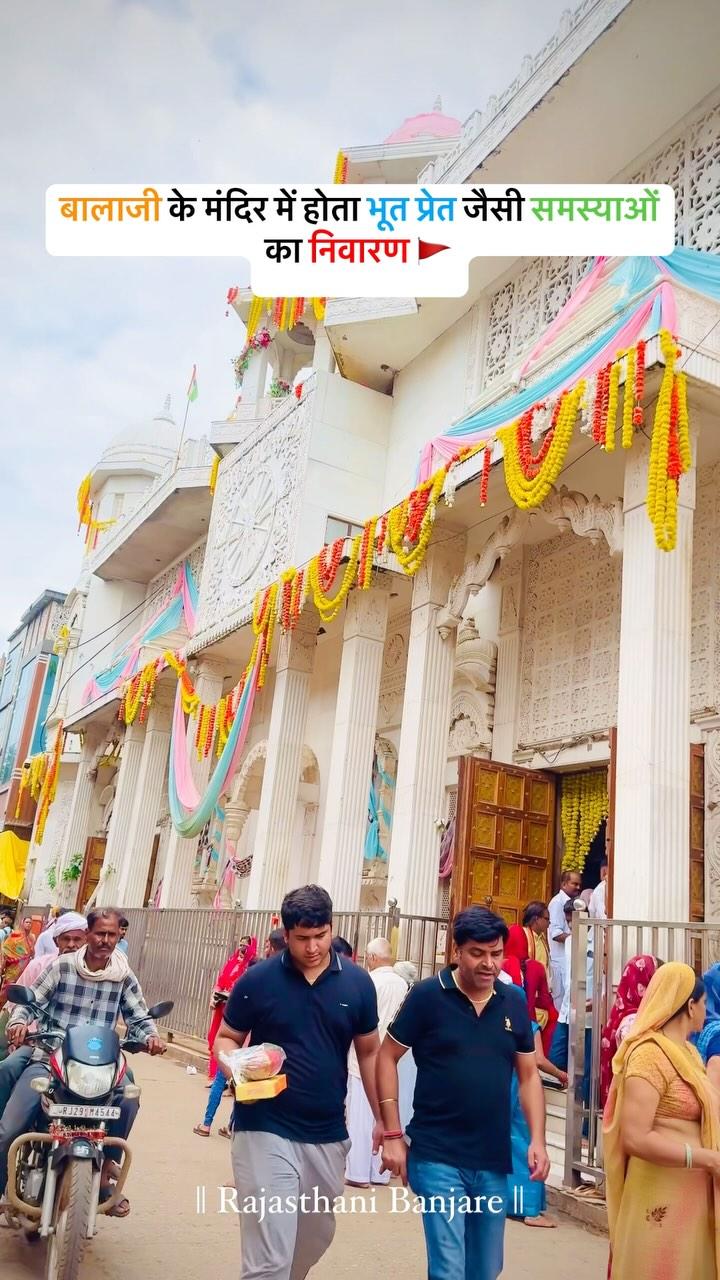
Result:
[{"x": 354, "y": 740}]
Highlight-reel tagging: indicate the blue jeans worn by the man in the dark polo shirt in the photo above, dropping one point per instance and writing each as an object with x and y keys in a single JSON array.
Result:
[{"x": 462, "y": 1246}]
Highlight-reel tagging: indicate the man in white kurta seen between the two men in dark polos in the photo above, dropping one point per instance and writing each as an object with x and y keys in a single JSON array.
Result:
[{"x": 362, "y": 1168}]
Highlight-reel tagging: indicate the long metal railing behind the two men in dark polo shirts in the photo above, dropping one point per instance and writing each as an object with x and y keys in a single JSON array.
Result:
[{"x": 177, "y": 954}]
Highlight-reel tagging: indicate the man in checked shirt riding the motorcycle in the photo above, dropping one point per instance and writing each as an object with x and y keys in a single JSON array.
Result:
[{"x": 95, "y": 985}]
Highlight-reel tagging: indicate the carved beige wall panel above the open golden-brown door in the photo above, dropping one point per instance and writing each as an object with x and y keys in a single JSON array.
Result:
[{"x": 571, "y": 641}]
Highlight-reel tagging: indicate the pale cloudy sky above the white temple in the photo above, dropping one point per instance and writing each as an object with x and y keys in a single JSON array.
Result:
[{"x": 181, "y": 92}]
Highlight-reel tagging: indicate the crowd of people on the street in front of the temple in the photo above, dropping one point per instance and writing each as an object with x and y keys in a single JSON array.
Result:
[{"x": 432, "y": 1084}]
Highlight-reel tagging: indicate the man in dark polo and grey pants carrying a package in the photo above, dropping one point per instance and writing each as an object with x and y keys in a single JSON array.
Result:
[{"x": 315, "y": 1004}]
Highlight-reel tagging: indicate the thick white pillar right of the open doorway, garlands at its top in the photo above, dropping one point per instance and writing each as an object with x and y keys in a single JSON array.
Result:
[{"x": 651, "y": 872}]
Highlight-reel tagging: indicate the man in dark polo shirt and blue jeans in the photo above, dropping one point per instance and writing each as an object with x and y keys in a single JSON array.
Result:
[{"x": 468, "y": 1034}]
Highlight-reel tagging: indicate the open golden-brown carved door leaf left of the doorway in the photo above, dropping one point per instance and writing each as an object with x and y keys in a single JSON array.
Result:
[{"x": 505, "y": 838}]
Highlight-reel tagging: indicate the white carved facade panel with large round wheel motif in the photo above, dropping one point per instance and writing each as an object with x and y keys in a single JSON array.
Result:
[{"x": 256, "y": 519}]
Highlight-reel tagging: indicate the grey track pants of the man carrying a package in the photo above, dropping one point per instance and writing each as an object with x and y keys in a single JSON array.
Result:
[{"x": 284, "y": 1244}]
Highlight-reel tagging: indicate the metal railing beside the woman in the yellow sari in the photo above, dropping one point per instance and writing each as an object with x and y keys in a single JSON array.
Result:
[{"x": 600, "y": 952}]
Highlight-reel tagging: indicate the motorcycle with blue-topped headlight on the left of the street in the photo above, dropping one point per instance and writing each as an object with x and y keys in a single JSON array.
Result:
[{"x": 54, "y": 1174}]
